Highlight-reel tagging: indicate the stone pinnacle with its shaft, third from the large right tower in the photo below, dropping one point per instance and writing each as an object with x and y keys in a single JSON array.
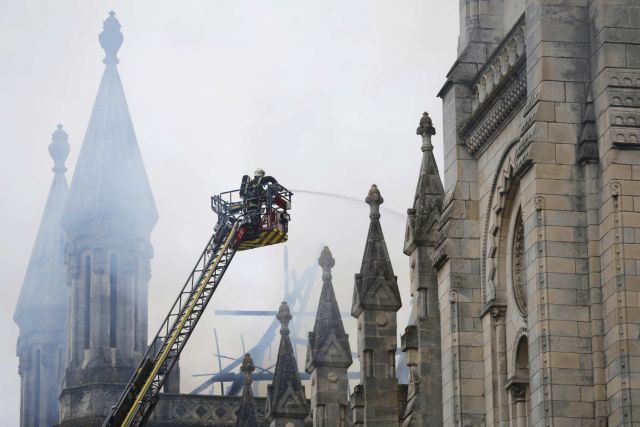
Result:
[{"x": 328, "y": 356}]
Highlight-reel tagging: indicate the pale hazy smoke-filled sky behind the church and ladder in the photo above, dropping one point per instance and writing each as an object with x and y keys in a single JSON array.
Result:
[{"x": 324, "y": 95}]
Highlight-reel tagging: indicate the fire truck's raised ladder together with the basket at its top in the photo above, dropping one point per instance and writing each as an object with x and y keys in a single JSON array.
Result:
[{"x": 247, "y": 219}]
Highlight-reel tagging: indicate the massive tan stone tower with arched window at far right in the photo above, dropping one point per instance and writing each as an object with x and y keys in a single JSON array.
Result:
[{"x": 537, "y": 244}]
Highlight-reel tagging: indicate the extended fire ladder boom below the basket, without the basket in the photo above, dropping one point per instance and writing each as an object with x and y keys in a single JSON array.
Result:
[{"x": 141, "y": 394}]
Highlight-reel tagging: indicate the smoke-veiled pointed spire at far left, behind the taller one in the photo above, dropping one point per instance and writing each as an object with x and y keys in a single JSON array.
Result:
[{"x": 44, "y": 286}]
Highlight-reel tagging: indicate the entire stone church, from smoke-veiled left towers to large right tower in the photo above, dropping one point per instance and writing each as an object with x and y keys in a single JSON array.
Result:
[{"x": 524, "y": 272}]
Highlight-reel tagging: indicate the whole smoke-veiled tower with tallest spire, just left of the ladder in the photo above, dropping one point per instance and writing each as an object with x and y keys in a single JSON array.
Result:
[{"x": 108, "y": 220}]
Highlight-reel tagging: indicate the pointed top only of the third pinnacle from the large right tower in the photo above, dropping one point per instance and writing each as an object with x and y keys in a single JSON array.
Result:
[{"x": 328, "y": 344}]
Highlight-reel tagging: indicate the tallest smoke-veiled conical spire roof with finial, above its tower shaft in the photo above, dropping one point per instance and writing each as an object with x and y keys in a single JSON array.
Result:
[{"x": 110, "y": 182}]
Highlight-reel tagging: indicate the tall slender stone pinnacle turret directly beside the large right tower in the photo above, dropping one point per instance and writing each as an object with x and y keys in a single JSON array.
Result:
[{"x": 421, "y": 340}]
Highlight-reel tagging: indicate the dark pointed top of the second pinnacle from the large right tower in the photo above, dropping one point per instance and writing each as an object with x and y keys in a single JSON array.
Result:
[{"x": 376, "y": 286}]
